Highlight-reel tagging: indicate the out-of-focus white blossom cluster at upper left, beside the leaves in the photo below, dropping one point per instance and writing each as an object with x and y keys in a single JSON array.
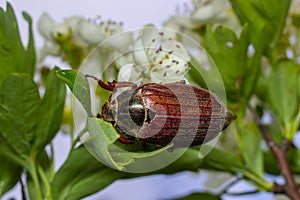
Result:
[{"x": 82, "y": 33}]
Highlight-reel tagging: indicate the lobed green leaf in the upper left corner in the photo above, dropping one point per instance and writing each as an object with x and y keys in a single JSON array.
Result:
[{"x": 13, "y": 55}]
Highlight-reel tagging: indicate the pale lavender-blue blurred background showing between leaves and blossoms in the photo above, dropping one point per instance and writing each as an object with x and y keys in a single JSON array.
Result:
[{"x": 133, "y": 14}]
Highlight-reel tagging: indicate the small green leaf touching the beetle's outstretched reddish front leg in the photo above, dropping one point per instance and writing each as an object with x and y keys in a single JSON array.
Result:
[{"x": 78, "y": 84}]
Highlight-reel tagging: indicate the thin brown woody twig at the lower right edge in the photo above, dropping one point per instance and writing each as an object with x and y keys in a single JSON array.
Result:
[{"x": 291, "y": 188}]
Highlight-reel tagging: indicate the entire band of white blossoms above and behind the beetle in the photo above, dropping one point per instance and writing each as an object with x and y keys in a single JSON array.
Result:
[{"x": 154, "y": 56}]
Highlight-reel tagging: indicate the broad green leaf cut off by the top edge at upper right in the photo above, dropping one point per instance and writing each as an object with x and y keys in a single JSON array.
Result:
[{"x": 266, "y": 19}]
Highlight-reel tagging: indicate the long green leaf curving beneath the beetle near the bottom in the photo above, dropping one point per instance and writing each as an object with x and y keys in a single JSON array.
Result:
[{"x": 78, "y": 178}]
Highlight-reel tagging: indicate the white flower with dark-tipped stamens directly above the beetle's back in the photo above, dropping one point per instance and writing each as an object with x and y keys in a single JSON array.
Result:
[{"x": 156, "y": 58}]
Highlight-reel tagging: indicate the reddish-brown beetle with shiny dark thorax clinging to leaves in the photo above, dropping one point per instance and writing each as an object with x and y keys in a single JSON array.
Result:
[{"x": 162, "y": 114}]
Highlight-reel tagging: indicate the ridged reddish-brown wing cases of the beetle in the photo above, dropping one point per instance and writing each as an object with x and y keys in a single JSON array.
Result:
[{"x": 182, "y": 114}]
